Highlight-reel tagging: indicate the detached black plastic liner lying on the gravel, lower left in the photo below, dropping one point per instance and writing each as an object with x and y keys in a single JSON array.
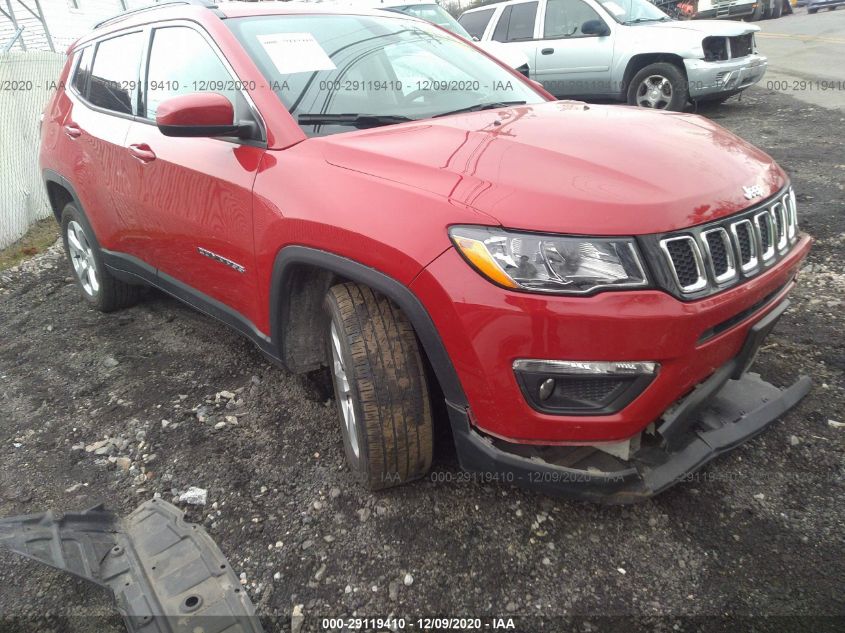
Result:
[{"x": 167, "y": 575}]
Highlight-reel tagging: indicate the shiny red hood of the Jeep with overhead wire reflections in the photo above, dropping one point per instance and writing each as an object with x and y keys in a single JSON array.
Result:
[{"x": 566, "y": 167}]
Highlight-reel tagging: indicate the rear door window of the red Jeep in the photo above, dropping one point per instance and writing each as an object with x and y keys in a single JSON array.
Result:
[{"x": 115, "y": 73}]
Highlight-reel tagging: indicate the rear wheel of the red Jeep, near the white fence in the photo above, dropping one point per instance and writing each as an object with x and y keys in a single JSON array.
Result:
[{"x": 99, "y": 288}]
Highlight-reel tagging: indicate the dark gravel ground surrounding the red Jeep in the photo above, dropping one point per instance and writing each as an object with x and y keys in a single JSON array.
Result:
[{"x": 189, "y": 403}]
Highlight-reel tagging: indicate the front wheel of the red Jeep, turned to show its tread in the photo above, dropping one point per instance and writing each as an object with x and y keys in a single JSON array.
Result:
[{"x": 380, "y": 387}]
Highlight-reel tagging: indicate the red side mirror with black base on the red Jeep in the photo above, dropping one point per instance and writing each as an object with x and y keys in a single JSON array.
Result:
[{"x": 199, "y": 114}]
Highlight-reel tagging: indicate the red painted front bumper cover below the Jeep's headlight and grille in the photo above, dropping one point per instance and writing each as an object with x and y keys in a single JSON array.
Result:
[{"x": 485, "y": 329}]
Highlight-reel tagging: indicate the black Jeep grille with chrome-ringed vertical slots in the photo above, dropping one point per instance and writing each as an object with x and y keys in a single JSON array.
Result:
[{"x": 708, "y": 258}]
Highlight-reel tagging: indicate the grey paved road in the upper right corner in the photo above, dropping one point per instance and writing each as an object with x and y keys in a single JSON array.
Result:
[{"x": 806, "y": 54}]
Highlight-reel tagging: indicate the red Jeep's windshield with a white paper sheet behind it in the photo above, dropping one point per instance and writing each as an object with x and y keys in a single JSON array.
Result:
[{"x": 389, "y": 68}]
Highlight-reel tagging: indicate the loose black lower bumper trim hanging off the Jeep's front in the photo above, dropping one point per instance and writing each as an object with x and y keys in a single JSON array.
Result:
[{"x": 724, "y": 411}]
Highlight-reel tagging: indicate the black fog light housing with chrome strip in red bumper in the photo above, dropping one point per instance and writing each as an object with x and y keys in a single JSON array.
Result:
[{"x": 582, "y": 387}]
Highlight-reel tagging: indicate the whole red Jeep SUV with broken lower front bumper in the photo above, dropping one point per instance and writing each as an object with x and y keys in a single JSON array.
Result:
[{"x": 584, "y": 286}]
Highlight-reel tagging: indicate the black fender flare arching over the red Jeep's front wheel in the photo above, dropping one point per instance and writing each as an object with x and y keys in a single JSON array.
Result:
[{"x": 396, "y": 291}]
